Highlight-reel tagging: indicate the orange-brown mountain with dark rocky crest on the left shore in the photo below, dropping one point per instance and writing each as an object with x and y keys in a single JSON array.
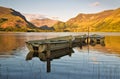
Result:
[{"x": 13, "y": 20}]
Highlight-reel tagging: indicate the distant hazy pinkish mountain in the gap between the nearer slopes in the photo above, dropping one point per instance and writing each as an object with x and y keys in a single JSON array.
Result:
[{"x": 42, "y": 22}]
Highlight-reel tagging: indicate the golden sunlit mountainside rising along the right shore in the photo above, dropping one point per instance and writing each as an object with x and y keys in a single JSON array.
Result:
[{"x": 106, "y": 21}]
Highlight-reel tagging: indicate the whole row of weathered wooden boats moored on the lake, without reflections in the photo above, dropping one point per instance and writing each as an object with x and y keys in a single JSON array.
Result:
[{"x": 47, "y": 45}]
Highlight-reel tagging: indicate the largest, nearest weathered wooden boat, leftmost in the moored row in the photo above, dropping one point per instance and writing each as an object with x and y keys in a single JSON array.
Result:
[{"x": 50, "y": 44}]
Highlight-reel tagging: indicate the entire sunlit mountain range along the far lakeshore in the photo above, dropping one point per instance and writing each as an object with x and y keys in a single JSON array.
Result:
[{"x": 105, "y": 21}]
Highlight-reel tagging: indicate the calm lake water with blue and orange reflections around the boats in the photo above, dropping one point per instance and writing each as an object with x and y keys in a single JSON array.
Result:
[{"x": 99, "y": 62}]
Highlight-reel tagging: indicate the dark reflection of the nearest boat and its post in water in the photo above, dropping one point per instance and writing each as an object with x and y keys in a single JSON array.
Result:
[{"x": 49, "y": 56}]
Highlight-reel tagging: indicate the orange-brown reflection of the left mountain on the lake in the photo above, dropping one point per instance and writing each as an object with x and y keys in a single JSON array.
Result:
[{"x": 9, "y": 43}]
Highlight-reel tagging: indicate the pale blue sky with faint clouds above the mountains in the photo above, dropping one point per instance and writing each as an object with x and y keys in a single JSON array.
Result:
[{"x": 60, "y": 9}]
